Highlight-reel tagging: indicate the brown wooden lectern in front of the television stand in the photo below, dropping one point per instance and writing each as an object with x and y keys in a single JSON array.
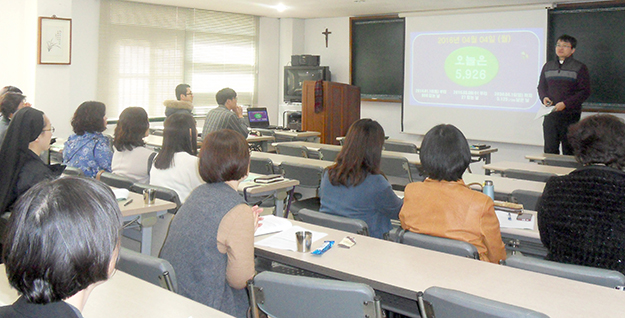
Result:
[{"x": 341, "y": 107}]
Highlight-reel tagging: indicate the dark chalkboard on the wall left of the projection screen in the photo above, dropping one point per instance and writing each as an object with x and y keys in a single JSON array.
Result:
[{"x": 377, "y": 57}]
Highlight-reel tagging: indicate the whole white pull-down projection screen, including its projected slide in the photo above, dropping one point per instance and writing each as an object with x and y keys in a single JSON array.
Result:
[{"x": 476, "y": 70}]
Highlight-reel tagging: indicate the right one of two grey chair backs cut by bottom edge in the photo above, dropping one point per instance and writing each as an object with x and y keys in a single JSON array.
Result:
[{"x": 448, "y": 303}]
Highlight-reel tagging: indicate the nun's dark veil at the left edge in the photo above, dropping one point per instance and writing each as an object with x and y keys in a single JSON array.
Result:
[{"x": 26, "y": 125}]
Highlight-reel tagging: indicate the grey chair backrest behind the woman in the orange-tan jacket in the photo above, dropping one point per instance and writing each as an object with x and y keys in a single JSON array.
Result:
[{"x": 440, "y": 244}]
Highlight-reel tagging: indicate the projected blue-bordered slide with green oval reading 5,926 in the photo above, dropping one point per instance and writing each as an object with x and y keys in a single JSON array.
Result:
[{"x": 478, "y": 69}]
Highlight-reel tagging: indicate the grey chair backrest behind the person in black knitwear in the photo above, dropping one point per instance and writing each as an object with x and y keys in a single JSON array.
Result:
[{"x": 592, "y": 275}]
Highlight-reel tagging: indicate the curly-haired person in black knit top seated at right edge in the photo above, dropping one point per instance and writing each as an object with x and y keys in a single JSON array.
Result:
[{"x": 581, "y": 216}]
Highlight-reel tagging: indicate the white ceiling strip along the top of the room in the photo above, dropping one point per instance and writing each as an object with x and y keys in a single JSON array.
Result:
[{"x": 307, "y": 9}]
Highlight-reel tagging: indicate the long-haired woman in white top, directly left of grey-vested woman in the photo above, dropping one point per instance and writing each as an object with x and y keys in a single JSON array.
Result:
[{"x": 176, "y": 165}]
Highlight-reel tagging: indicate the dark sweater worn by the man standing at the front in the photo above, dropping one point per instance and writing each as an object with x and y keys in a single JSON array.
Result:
[{"x": 568, "y": 82}]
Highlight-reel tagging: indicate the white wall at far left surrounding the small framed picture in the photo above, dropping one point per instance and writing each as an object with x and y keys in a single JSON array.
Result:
[{"x": 55, "y": 89}]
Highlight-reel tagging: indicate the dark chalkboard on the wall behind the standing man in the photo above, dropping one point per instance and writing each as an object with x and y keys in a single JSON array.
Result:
[{"x": 600, "y": 34}]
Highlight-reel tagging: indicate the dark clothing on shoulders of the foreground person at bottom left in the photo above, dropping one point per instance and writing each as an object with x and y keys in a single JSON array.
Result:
[{"x": 23, "y": 309}]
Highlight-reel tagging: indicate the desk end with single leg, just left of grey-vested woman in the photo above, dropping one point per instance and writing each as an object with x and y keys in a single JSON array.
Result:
[{"x": 147, "y": 216}]
